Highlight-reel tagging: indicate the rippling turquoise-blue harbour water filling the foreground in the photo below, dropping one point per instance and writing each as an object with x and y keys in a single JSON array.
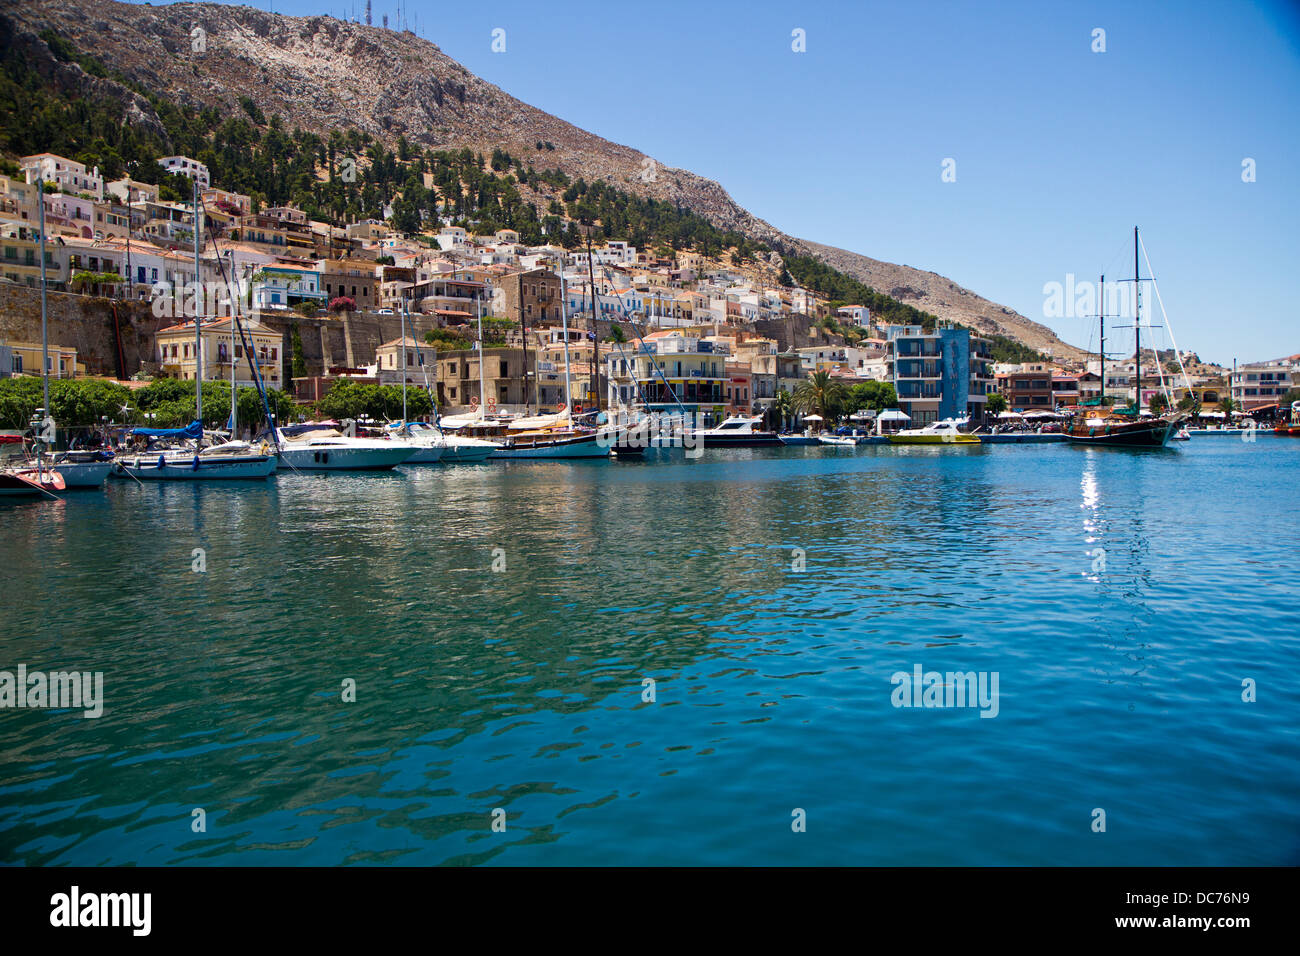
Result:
[{"x": 1121, "y": 598}]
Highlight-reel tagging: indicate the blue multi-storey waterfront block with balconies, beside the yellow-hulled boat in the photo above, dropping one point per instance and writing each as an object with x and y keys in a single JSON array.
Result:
[{"x": 943, "y": 374}]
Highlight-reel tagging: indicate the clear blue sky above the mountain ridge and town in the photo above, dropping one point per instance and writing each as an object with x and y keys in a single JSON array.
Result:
[{"x": 1059, "y": 152}]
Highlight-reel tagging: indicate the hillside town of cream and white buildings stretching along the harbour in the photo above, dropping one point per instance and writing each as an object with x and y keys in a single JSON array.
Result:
[{"x": 688, "y": 325}]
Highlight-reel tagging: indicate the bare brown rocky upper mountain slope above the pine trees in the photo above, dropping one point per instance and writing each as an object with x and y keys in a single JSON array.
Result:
[{"x": 320, "y": 73}]
